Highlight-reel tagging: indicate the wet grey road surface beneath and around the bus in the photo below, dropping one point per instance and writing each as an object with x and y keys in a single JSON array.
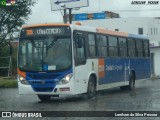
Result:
[{"x": 146, "y": 97}]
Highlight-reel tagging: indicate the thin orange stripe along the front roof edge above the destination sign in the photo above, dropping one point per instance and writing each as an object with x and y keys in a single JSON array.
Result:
[{"x": 44, "y": 25}]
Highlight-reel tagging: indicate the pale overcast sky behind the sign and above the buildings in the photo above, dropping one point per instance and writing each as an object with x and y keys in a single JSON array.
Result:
[{"x": 41, "y": 12}]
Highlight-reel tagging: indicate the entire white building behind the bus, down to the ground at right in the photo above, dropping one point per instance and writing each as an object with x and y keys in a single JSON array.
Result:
[{"x": 142, "y": 26}]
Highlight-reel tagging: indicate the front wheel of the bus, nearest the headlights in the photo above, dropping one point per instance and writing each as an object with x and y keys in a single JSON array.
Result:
[{"x": 91, "y": 90}]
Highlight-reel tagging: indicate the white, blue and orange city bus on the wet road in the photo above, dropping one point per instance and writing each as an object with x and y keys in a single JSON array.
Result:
[{"x": 58, "y": 60}]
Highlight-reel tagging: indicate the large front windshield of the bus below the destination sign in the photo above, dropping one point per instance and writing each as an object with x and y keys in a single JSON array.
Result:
[{"x": 45, "y": 54}]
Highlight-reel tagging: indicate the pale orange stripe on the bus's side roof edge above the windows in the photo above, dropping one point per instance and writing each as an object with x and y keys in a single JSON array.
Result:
[{"x": 103, "y": 31}]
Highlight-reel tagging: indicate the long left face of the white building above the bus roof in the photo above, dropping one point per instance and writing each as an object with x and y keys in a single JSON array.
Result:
[{"x": 130, "y": 25}]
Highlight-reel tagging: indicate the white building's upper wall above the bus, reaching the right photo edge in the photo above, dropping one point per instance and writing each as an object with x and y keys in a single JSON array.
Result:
[{"x": 129, "y": 25}]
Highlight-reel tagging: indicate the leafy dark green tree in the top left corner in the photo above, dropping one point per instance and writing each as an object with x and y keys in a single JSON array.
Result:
[{"x": 13, "y": 17}]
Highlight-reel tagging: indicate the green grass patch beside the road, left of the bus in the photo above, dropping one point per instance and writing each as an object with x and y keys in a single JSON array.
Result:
[{"x": 8, "y": 83}]
